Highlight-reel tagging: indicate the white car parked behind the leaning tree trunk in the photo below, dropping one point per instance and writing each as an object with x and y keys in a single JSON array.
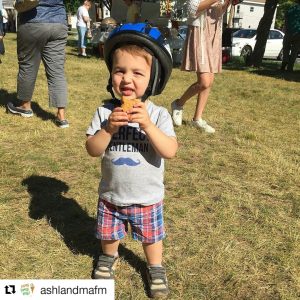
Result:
[{"x": 243, "y": 42}]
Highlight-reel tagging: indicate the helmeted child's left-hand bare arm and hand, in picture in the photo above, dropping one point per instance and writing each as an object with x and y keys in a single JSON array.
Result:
[{"x": 97, "y": 144}]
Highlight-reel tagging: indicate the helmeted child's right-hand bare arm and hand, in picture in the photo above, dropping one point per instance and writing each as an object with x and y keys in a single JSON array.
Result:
[{"x": 164, "y": 145}]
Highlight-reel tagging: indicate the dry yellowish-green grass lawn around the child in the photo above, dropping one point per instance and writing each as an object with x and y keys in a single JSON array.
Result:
[{"x": 232, "y": 206}]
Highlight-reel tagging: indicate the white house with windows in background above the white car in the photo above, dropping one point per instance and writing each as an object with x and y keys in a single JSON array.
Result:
[{"x": 248, "y": 13}]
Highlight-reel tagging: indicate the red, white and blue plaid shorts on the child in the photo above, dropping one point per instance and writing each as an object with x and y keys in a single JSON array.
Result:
[{"x": 146, "y": 222}]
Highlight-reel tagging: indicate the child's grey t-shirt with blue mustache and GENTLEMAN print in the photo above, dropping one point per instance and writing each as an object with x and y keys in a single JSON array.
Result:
[{"x": 132, "y": 172}]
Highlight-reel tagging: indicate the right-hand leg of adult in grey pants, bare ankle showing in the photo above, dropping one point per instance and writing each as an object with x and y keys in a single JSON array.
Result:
[{"x": 53, "y": 57}]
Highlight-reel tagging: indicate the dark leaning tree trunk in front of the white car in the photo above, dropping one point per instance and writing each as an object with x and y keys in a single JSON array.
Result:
[{"x": 262, "y": 34}]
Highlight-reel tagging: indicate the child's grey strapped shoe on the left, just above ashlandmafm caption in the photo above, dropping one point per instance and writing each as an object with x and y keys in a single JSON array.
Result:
[{"x": 106, "y": 266}]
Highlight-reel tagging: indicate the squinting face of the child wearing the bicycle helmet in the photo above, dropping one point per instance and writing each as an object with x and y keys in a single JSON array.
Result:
[{"x": 130, "y": 74}]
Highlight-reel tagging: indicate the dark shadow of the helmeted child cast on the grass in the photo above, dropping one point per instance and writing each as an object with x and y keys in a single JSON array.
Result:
[{"x": 72, "y": 222}]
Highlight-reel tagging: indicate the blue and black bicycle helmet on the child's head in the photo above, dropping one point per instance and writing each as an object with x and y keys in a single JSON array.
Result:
[{"x": 149, "y": 38}]
